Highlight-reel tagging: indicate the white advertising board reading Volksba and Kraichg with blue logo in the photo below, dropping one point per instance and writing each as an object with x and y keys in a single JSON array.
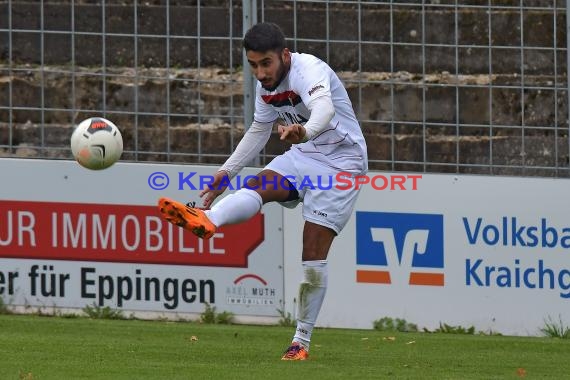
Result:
[{"x": 488, "y": 252}]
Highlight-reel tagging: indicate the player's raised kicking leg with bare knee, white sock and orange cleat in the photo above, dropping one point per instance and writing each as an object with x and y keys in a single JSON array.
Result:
[{"x": 237, "y": 207}]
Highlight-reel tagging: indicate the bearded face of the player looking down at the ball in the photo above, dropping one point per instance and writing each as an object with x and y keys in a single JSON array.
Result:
[{"x": 269, "y": 67}]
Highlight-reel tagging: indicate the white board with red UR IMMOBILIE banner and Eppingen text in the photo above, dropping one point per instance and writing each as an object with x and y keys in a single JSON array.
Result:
[{"x": 70, "y": 237}]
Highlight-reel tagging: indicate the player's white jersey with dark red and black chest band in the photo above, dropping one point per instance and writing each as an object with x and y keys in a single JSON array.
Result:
[{"x": 341, "y": 145}]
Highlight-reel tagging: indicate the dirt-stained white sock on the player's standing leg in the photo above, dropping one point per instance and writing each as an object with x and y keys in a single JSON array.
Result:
[{"x": 311, "y": 295}]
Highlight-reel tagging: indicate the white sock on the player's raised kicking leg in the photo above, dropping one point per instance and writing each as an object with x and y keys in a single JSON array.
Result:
[{"x": 235, "y": 208}]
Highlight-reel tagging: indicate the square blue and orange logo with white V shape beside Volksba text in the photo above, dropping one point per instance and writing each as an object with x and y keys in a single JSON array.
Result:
[{"x": 396, "y": 247}]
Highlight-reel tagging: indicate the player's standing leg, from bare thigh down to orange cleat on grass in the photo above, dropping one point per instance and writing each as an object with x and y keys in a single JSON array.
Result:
[{"x": 317, "y": 240}]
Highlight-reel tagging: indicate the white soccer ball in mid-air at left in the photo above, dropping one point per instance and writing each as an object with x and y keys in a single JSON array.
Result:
[{"x": 96, "y": 143}]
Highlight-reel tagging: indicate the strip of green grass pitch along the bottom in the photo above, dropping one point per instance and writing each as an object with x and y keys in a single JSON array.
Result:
[{"x": 35, "y": 347}]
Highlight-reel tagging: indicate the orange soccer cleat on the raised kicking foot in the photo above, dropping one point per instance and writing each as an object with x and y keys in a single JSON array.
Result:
[{"x": 190, "y": 218}]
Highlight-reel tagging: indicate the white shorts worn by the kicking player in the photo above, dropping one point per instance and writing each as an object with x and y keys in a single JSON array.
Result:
[{"x": 323, "y": 202}]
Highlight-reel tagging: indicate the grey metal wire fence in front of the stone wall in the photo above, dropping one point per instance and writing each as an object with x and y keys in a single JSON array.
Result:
[{"x": 464, "y": 86}]
